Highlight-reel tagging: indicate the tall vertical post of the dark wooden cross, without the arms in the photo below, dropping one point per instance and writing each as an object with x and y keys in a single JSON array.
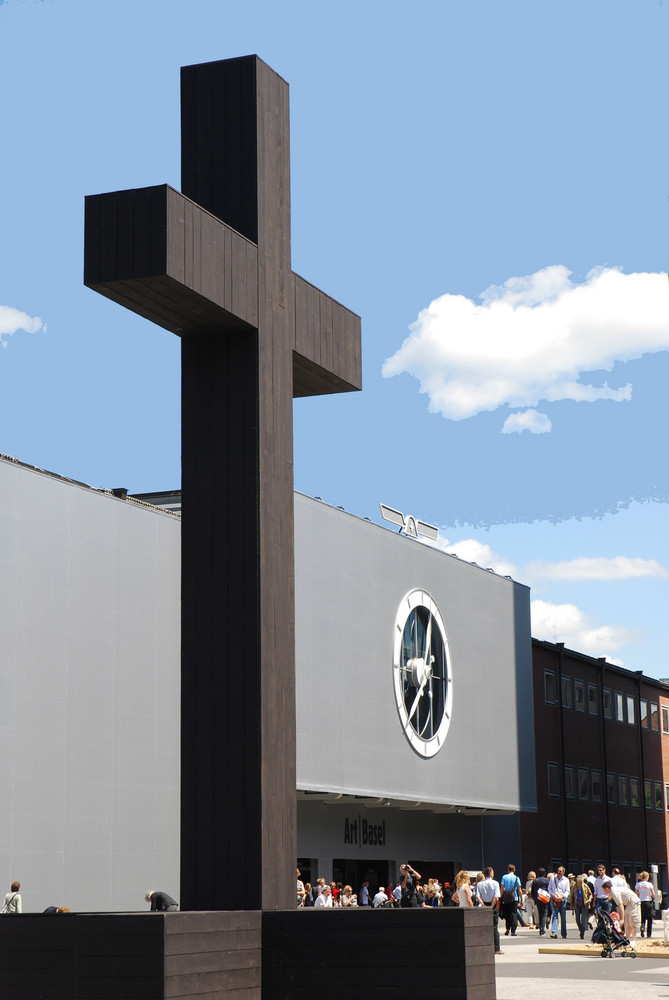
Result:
[{"x": 237, "y": 447}]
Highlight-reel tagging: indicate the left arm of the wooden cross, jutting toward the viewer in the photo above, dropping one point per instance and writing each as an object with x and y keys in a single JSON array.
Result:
[{"x": 159, "y": 254}]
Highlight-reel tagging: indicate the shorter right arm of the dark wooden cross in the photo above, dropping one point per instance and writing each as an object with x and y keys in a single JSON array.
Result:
[{"x": 326, "y": 353}]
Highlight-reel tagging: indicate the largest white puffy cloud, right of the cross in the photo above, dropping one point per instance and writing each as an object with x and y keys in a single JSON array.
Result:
[{"x": 532, "y": 338}]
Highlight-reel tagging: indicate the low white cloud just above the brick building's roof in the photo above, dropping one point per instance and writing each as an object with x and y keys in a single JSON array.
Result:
[{"x": 567, "y": 623}]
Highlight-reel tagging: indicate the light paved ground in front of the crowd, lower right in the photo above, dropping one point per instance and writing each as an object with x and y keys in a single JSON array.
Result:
[{"x": 524, "y": 974}]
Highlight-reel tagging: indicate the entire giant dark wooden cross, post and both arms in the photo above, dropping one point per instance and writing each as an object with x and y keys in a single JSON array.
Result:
[{"x": 213, "y": 265}]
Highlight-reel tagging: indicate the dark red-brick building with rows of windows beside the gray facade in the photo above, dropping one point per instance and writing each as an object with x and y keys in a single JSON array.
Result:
[{"x": 602, "y": 766}]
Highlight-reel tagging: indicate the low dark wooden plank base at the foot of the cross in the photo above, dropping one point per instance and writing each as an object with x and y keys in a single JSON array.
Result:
[{"x": 297, "y": 955}]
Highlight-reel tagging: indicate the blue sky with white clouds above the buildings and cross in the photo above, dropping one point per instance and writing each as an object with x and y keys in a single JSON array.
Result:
[{"x": 441, "y": 152}]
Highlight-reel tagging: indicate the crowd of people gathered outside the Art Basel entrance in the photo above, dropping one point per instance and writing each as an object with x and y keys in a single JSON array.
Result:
[{"x": 541, "y": 903}]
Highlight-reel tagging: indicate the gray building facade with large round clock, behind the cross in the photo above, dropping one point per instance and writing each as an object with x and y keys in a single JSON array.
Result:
[{"x": 413, "y": 673}]
